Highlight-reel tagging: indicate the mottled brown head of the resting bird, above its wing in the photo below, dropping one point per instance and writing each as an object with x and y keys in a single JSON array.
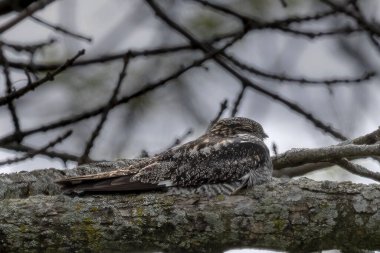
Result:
[{"x": 229, "y": 127}]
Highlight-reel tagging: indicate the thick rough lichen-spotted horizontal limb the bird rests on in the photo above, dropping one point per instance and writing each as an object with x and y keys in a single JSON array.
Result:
[{"x": 292, "y": 215}]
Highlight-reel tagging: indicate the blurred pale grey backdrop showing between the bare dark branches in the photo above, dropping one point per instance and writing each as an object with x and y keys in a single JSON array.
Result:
[{"x": 330, "y": 48}]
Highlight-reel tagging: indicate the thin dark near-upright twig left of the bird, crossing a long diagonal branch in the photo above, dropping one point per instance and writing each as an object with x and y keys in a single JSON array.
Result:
[{"x": 106, "y": 110}]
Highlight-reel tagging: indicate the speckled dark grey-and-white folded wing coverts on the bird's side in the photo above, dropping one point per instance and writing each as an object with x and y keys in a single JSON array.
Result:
[{"x": 209, "y": 161}]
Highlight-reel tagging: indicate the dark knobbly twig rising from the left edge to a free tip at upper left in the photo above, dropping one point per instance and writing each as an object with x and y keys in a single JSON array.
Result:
[{"x": 32, "y": 86}]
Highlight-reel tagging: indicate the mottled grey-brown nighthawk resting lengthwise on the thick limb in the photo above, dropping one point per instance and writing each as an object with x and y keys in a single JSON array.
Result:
[{"x": 229, "y": 156}]
